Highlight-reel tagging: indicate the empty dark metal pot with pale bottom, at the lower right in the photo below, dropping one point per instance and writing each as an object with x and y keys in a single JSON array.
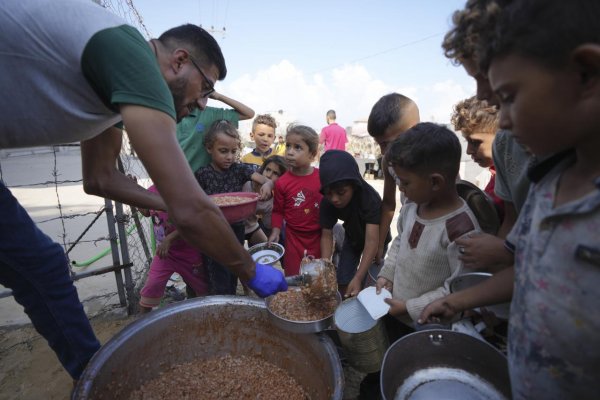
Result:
[{"x": 436, "y": 364}]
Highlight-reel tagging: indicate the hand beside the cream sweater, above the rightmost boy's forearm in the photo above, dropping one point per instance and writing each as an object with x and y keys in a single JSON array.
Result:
[{"x": 483, "y": 251}]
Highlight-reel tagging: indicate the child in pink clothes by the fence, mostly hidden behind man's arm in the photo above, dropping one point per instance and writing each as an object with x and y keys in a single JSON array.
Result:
[{"x": 173, "y": 254}]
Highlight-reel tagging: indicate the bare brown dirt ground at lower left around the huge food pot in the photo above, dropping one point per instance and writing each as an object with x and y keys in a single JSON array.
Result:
[{"x": 29, "y": 370}]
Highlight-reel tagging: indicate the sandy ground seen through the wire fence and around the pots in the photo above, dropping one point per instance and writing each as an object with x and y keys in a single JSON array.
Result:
[{"x": 28, "y": 368}]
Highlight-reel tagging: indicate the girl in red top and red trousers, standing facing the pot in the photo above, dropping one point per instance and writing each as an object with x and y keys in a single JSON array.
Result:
[{"x": 297, "y": 198}]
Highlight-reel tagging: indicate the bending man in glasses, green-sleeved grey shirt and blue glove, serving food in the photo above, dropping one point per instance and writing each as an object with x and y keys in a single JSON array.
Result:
[{"x": 72, "y": 71}]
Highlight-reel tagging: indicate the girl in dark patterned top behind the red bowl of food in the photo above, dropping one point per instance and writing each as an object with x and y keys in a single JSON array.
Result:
[{"x": 225, "y": 175}]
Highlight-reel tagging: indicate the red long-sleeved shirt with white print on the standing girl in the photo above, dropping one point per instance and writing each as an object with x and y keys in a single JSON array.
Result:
[{"x": 296, "y": 200}]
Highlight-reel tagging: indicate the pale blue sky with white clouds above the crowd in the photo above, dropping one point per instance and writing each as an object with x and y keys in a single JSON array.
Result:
[{"x": 305, "y": 57}]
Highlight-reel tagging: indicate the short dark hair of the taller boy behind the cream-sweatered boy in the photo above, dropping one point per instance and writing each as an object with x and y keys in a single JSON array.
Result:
[{"x": 387, "y": 112}]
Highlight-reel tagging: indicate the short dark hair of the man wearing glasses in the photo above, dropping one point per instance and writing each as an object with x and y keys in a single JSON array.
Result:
[{"x": 202, "y": 46}]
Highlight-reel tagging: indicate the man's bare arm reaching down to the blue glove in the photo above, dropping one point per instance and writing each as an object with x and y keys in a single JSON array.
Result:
[{"x": 197, "y": 218}]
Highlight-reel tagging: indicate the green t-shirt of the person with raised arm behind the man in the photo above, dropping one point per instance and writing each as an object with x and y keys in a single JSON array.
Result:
[{"x": 191, "y": 130}]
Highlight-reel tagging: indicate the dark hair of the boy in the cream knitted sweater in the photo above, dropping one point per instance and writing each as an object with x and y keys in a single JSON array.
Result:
[{"x": 427, "y": 148}]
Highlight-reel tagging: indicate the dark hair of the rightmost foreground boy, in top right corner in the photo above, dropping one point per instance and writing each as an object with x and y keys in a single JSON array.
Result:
[{"x": 544, "y": 30}]
